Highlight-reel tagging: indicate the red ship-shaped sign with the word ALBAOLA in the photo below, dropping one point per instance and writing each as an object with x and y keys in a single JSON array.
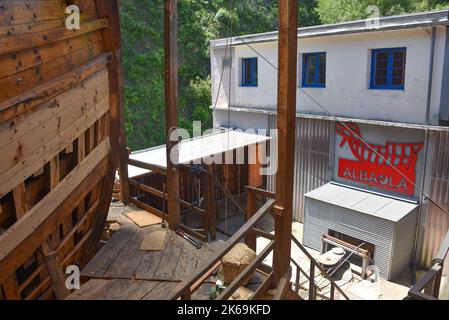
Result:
[{"x": 389, "y": 167}]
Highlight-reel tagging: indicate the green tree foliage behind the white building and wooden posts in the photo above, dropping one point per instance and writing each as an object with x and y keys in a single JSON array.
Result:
[{"x": 199, "y": 21}]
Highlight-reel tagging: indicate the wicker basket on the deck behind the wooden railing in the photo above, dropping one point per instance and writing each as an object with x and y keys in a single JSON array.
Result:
[{"x": 235, "y": 261}]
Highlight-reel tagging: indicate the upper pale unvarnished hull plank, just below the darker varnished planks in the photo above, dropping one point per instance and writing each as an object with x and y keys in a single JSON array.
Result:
[{"x": 34, "y": 137}]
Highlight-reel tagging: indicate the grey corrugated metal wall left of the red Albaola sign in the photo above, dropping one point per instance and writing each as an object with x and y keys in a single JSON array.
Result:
[{"x": 313, "y": 159}]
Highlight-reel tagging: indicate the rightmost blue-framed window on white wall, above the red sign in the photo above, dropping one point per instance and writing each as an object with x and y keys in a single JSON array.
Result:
[{"x": 388, "y": 68}]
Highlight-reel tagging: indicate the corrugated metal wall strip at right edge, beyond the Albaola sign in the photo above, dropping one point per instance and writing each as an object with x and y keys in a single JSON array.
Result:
[{"x": 437, "y": 222}]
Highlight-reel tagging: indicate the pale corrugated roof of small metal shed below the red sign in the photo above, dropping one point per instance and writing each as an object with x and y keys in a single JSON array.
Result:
[{"x": 377, "y": 205}]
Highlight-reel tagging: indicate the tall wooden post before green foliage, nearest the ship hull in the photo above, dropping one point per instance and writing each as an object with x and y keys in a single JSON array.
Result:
[{"x": 171, "y": 109}]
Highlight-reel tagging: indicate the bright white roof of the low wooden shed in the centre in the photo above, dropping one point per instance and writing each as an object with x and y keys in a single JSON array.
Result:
[{"x": 195, "y": 149}]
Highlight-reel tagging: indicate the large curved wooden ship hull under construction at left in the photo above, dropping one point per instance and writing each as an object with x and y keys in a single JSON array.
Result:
[{"x": 61, "y": 137}]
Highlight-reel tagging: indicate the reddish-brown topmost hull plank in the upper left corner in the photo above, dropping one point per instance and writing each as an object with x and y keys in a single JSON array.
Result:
[{"x": 16, "y": 12}]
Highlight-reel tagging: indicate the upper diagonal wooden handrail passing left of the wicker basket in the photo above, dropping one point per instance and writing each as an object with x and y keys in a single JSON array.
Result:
[{"x": 186, "y": 285}]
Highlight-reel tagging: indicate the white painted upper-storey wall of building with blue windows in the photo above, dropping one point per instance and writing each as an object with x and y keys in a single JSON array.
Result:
[{"x": 347, "y": 92}]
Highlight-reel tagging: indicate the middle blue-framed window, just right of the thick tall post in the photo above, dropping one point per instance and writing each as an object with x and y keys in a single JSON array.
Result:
[{"x": 314, "y": 70}]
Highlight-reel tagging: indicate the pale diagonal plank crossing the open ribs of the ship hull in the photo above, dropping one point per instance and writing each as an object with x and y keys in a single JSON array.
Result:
[{"x": 23, "y": 228}]
